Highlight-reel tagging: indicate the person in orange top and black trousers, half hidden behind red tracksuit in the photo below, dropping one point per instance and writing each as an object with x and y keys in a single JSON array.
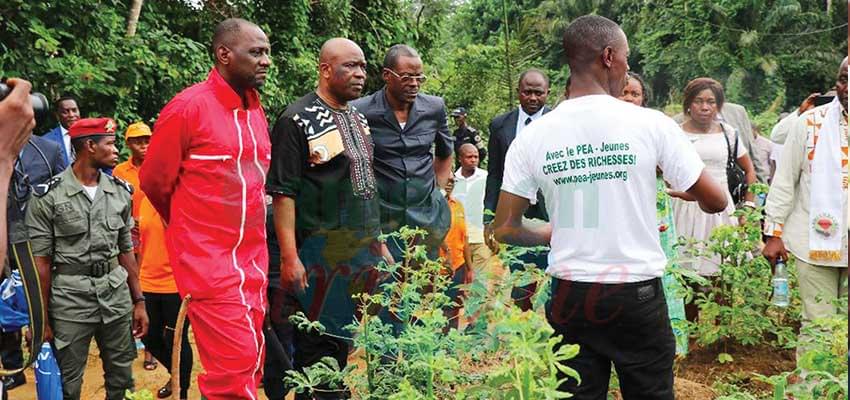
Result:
[{"x": 162, "y": 299}]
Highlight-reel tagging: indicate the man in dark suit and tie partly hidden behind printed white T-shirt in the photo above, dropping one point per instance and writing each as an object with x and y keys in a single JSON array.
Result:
[{"x": 533, "y": 90}]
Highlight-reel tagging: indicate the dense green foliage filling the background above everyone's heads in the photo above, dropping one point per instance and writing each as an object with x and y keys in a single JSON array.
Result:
[{"x": 763, "y": 50}]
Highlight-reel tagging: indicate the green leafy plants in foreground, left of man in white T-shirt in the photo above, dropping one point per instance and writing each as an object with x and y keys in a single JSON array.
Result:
[{"x": 408, "y": 350}]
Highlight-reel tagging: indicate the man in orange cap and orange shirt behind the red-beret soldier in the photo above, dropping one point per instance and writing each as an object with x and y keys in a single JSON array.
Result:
[{"x": 137, "y": 137}]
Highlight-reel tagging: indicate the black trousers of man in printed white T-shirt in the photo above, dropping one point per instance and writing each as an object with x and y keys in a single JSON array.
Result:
[{"x": 625, "y": 323}]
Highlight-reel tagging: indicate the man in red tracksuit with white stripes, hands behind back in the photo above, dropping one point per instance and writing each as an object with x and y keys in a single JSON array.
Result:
[{"x": 205, "y": 173}]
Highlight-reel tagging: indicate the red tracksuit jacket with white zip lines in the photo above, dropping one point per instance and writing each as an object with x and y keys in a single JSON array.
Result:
[{"x": 205, "y": 172}]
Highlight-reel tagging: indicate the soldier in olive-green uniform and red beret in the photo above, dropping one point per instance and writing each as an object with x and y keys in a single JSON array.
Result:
[{"x": 79, "y": 225}]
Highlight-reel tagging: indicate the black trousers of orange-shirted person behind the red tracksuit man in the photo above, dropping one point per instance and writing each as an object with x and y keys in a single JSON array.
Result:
[{"x": 162, "y": 311}]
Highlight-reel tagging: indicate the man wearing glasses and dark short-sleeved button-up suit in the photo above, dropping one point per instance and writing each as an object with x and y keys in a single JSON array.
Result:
[{"x": 405, "y": 125}]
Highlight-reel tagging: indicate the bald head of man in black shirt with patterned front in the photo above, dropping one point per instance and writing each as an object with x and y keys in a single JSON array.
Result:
[{"x": 342, "y": 70}]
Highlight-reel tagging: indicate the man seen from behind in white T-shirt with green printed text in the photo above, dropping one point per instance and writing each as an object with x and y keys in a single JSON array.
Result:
[{"x": 594, "y": 158}]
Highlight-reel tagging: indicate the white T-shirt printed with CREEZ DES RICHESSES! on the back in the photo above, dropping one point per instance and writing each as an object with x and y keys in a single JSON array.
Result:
[{"x": 604, "y": 228}]
